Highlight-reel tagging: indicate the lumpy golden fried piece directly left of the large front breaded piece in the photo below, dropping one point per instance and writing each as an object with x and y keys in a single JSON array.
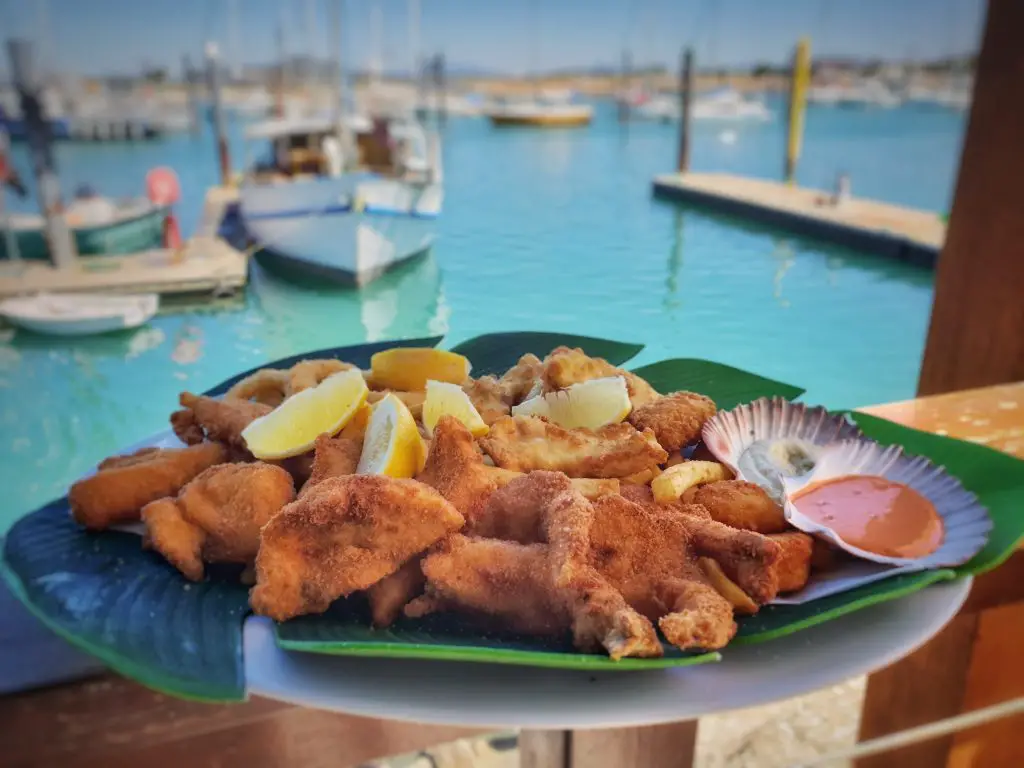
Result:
[{"x": 218, "y": 517}]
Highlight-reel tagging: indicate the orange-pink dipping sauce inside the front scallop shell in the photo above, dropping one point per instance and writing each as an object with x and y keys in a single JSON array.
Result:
[{"x": 875, "y": 515}]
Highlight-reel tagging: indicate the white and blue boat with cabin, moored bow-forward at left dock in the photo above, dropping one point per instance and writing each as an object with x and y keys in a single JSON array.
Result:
[{"x": 348, "y": 216}]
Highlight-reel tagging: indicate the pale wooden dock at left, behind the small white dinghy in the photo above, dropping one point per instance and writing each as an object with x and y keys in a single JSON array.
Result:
[{"x": 204, "y": 265}]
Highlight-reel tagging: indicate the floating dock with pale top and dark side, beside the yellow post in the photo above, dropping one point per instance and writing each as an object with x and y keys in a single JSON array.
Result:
[{"x": 905, "y": 234}]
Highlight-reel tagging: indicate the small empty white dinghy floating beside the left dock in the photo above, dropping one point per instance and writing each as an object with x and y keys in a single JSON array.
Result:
[{"x": 79, "y": 314}]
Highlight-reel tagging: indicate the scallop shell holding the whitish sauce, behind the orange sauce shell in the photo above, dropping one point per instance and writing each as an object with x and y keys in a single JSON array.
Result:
[{"x": 769, "y": 440}]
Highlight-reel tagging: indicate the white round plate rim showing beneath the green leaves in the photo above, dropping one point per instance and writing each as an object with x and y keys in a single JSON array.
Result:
[{"x": 494, "y": 696}]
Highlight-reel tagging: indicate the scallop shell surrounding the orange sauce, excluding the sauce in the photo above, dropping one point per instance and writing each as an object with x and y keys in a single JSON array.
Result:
[{"x": 966, "y": 523}]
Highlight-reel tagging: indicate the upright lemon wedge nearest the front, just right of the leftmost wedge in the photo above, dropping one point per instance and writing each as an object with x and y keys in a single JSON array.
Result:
[{"x": 393, "y": 445}]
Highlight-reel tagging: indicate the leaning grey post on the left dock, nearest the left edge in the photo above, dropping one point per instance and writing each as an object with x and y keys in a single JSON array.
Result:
[{"x": 28, "y": 82}]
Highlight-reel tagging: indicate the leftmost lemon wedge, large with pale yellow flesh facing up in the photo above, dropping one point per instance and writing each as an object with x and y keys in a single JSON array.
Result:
[{"x": 293, "y": 428}]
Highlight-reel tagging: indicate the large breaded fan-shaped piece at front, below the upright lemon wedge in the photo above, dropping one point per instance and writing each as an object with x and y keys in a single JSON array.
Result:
[{"x": 346, "y": 535}]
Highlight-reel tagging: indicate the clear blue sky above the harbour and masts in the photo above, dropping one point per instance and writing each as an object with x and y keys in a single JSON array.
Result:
[{"x": 119, "y": 36}]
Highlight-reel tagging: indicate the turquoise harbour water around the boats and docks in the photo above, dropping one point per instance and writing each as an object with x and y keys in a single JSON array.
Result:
[{"x": 541, "y": 231}]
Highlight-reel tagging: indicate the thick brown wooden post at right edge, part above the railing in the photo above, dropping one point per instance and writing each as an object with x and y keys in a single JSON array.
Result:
[{"x": 976, "y": 335}]
